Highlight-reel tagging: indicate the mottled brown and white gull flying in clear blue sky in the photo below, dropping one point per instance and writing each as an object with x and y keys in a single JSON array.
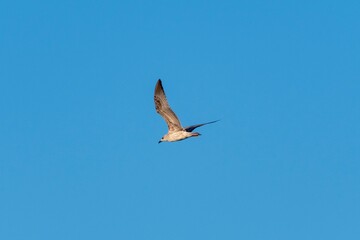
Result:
[{"x": 175, "y": 131}]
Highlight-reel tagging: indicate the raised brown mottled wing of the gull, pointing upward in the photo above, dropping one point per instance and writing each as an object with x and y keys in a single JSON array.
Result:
[{"x": 163, "y": 108}]
